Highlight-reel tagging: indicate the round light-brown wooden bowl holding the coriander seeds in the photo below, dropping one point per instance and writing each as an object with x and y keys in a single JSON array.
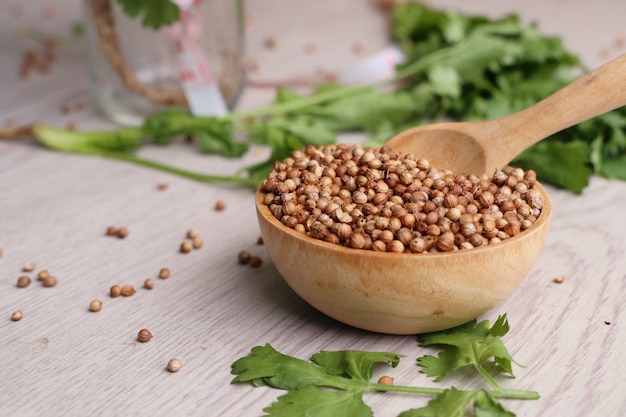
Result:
[{"x": 401, "y": 293}]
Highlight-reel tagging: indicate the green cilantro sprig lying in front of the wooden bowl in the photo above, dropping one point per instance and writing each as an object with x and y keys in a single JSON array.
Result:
[{"x": 333, "y": 383}]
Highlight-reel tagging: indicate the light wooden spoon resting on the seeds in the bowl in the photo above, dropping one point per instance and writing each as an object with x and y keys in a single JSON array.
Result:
[{"x": 481, "y": 147}]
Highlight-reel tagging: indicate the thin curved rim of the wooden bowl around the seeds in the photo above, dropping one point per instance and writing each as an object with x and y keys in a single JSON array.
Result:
[{"x": 542, "y": 221}]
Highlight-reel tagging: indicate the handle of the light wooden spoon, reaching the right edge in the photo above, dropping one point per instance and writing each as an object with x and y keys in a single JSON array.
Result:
[{"x": 597, "y": 92}]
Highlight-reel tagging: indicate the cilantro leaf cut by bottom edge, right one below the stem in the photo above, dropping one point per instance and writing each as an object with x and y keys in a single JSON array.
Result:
[{"x": 455, "y": 403}]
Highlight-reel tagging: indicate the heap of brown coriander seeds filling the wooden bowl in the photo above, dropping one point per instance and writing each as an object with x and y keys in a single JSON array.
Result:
[{"x": 381, "y": 200}]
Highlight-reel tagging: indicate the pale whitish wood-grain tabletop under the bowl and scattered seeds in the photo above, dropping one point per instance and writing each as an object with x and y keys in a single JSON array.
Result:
[{"x": 61, "y": 359}]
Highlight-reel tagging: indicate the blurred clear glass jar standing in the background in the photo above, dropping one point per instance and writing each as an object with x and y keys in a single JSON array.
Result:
[{"x": 197, "y": 63}]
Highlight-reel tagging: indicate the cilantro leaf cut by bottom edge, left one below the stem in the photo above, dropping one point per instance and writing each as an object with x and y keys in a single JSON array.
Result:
[{"x": 313, "y": 401}]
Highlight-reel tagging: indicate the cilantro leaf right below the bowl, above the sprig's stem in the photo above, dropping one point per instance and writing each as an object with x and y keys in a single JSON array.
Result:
[{"x": 468, "y": 344}]
